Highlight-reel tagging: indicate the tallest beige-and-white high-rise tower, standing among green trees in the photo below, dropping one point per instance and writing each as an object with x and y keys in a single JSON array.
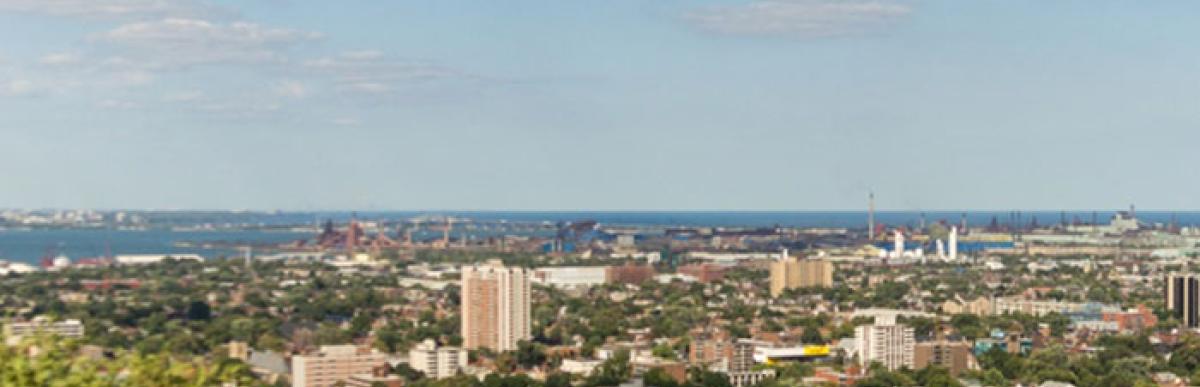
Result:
[{"x": 495, "y": 307}]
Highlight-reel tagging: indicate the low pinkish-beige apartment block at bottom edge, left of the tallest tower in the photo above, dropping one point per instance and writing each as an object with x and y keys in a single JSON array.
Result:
[{"x": 333, "y": 365}]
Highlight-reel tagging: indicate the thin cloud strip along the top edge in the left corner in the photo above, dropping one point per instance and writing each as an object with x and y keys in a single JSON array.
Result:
[{"x": 111, "y": 9}]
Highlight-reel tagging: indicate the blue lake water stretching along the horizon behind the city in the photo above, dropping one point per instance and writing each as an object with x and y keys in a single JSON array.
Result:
[{"x": 32, "y": 246}]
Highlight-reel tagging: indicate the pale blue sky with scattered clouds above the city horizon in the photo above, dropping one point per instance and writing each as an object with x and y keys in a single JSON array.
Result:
[{"x": 667, "y": 105}]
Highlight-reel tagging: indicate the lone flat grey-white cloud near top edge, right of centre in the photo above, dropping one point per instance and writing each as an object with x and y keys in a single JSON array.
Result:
[{"x": 802, "y": 19}]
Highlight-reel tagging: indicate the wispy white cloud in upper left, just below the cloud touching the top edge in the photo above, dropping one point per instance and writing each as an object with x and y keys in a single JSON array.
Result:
[{"x": 183, "y": 43}]
